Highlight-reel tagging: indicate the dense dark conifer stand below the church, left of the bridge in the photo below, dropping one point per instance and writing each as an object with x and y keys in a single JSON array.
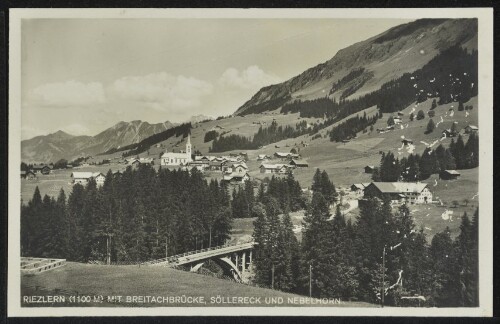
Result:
[{"x": 132, "y": 217}]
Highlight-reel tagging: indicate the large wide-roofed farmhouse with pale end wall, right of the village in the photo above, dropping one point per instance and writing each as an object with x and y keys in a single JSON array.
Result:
[{"x": 400, "y": 192}]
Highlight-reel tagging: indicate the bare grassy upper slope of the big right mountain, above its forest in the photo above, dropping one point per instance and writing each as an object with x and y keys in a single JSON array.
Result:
[{"x": 387, "y": 56}]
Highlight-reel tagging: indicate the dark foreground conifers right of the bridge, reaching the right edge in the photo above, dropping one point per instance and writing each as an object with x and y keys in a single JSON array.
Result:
[{"x": 342, "y": 259}]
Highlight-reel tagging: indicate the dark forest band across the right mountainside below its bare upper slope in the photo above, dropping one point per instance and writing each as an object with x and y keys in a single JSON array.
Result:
[{"x": 450, "y": 76}]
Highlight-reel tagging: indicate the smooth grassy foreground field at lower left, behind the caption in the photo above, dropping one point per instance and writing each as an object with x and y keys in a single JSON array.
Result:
[{"x": 100, "y": 280}]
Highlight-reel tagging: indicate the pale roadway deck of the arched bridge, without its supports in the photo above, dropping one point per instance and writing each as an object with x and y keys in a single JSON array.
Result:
[{"x": 194, "y": 256}]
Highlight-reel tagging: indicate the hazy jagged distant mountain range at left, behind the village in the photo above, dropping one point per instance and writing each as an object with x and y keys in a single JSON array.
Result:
[{"x": 52, "y": 147}]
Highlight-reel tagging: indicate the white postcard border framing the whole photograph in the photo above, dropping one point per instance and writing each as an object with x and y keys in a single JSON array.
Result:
[{"x": 485, "y": 46}]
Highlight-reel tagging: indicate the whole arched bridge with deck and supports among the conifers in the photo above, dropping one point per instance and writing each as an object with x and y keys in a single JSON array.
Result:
[{"x": 234, "y": 259}]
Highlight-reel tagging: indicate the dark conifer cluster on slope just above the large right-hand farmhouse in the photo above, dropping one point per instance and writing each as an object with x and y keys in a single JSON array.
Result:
[{"x": 417, "y": 167}]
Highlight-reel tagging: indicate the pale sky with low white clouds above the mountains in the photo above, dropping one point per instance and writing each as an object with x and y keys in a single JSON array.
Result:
[{"x": 85, "y": 75}]
